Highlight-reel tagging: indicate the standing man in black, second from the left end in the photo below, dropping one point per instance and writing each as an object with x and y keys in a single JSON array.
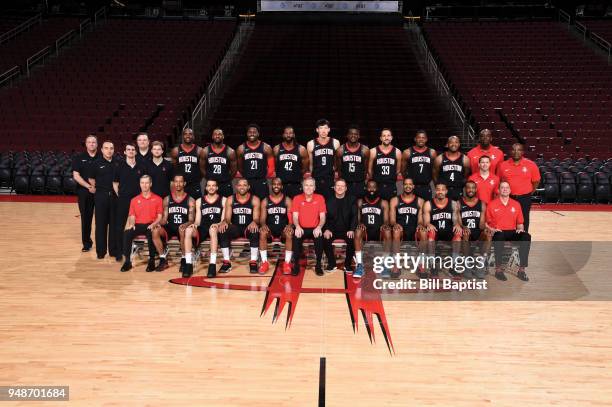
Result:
[{"x": 102, "y": 176}]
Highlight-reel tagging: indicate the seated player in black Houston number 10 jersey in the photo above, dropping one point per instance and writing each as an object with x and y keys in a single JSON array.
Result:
[{"x": 241, "y": 220}]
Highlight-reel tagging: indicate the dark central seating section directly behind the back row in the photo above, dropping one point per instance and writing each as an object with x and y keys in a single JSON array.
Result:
[{"x": 296, "y": 74}]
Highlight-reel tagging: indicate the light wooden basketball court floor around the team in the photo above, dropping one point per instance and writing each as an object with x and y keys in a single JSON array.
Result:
[{"x": 134, "y": 339}]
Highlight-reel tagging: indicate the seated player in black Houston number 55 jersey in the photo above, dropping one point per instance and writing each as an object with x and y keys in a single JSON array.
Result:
[{"x": 179, "y": 214}]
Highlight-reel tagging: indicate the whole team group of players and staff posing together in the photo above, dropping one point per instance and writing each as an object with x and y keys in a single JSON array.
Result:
[{"x": 325, "y": 192}]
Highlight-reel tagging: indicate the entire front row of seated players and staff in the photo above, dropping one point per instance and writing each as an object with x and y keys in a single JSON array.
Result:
[{"x": 372, "y": 218}]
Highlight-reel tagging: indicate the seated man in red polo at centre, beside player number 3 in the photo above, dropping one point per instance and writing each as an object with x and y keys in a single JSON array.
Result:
[{"x": 308, "y": 213}]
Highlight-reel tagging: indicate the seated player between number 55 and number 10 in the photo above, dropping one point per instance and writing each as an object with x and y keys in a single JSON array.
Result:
[{"x": 209, "y": 213}]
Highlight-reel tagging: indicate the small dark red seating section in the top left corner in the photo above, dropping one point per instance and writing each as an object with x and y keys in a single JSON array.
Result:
[{"x": 18, "y": 50}]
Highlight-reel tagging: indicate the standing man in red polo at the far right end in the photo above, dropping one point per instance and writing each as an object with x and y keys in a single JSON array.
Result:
[{"x": 523, "y": 176}]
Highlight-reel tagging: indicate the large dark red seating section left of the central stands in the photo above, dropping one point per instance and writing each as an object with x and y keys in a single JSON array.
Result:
[{"x": 127, "y": 76}]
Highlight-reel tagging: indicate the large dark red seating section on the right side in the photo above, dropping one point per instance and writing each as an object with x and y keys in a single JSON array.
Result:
[{"x": 555, "y": 93}]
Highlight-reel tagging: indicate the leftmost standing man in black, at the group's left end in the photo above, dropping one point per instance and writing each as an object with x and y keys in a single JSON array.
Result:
[{"x": 82, "y": 166}]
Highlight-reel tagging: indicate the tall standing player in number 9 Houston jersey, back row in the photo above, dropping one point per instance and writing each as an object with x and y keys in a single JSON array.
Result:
[{"x": 322, "y": 152}]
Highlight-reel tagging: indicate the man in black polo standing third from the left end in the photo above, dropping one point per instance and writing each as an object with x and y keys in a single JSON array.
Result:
[{"x": 126, "y": 185}]
